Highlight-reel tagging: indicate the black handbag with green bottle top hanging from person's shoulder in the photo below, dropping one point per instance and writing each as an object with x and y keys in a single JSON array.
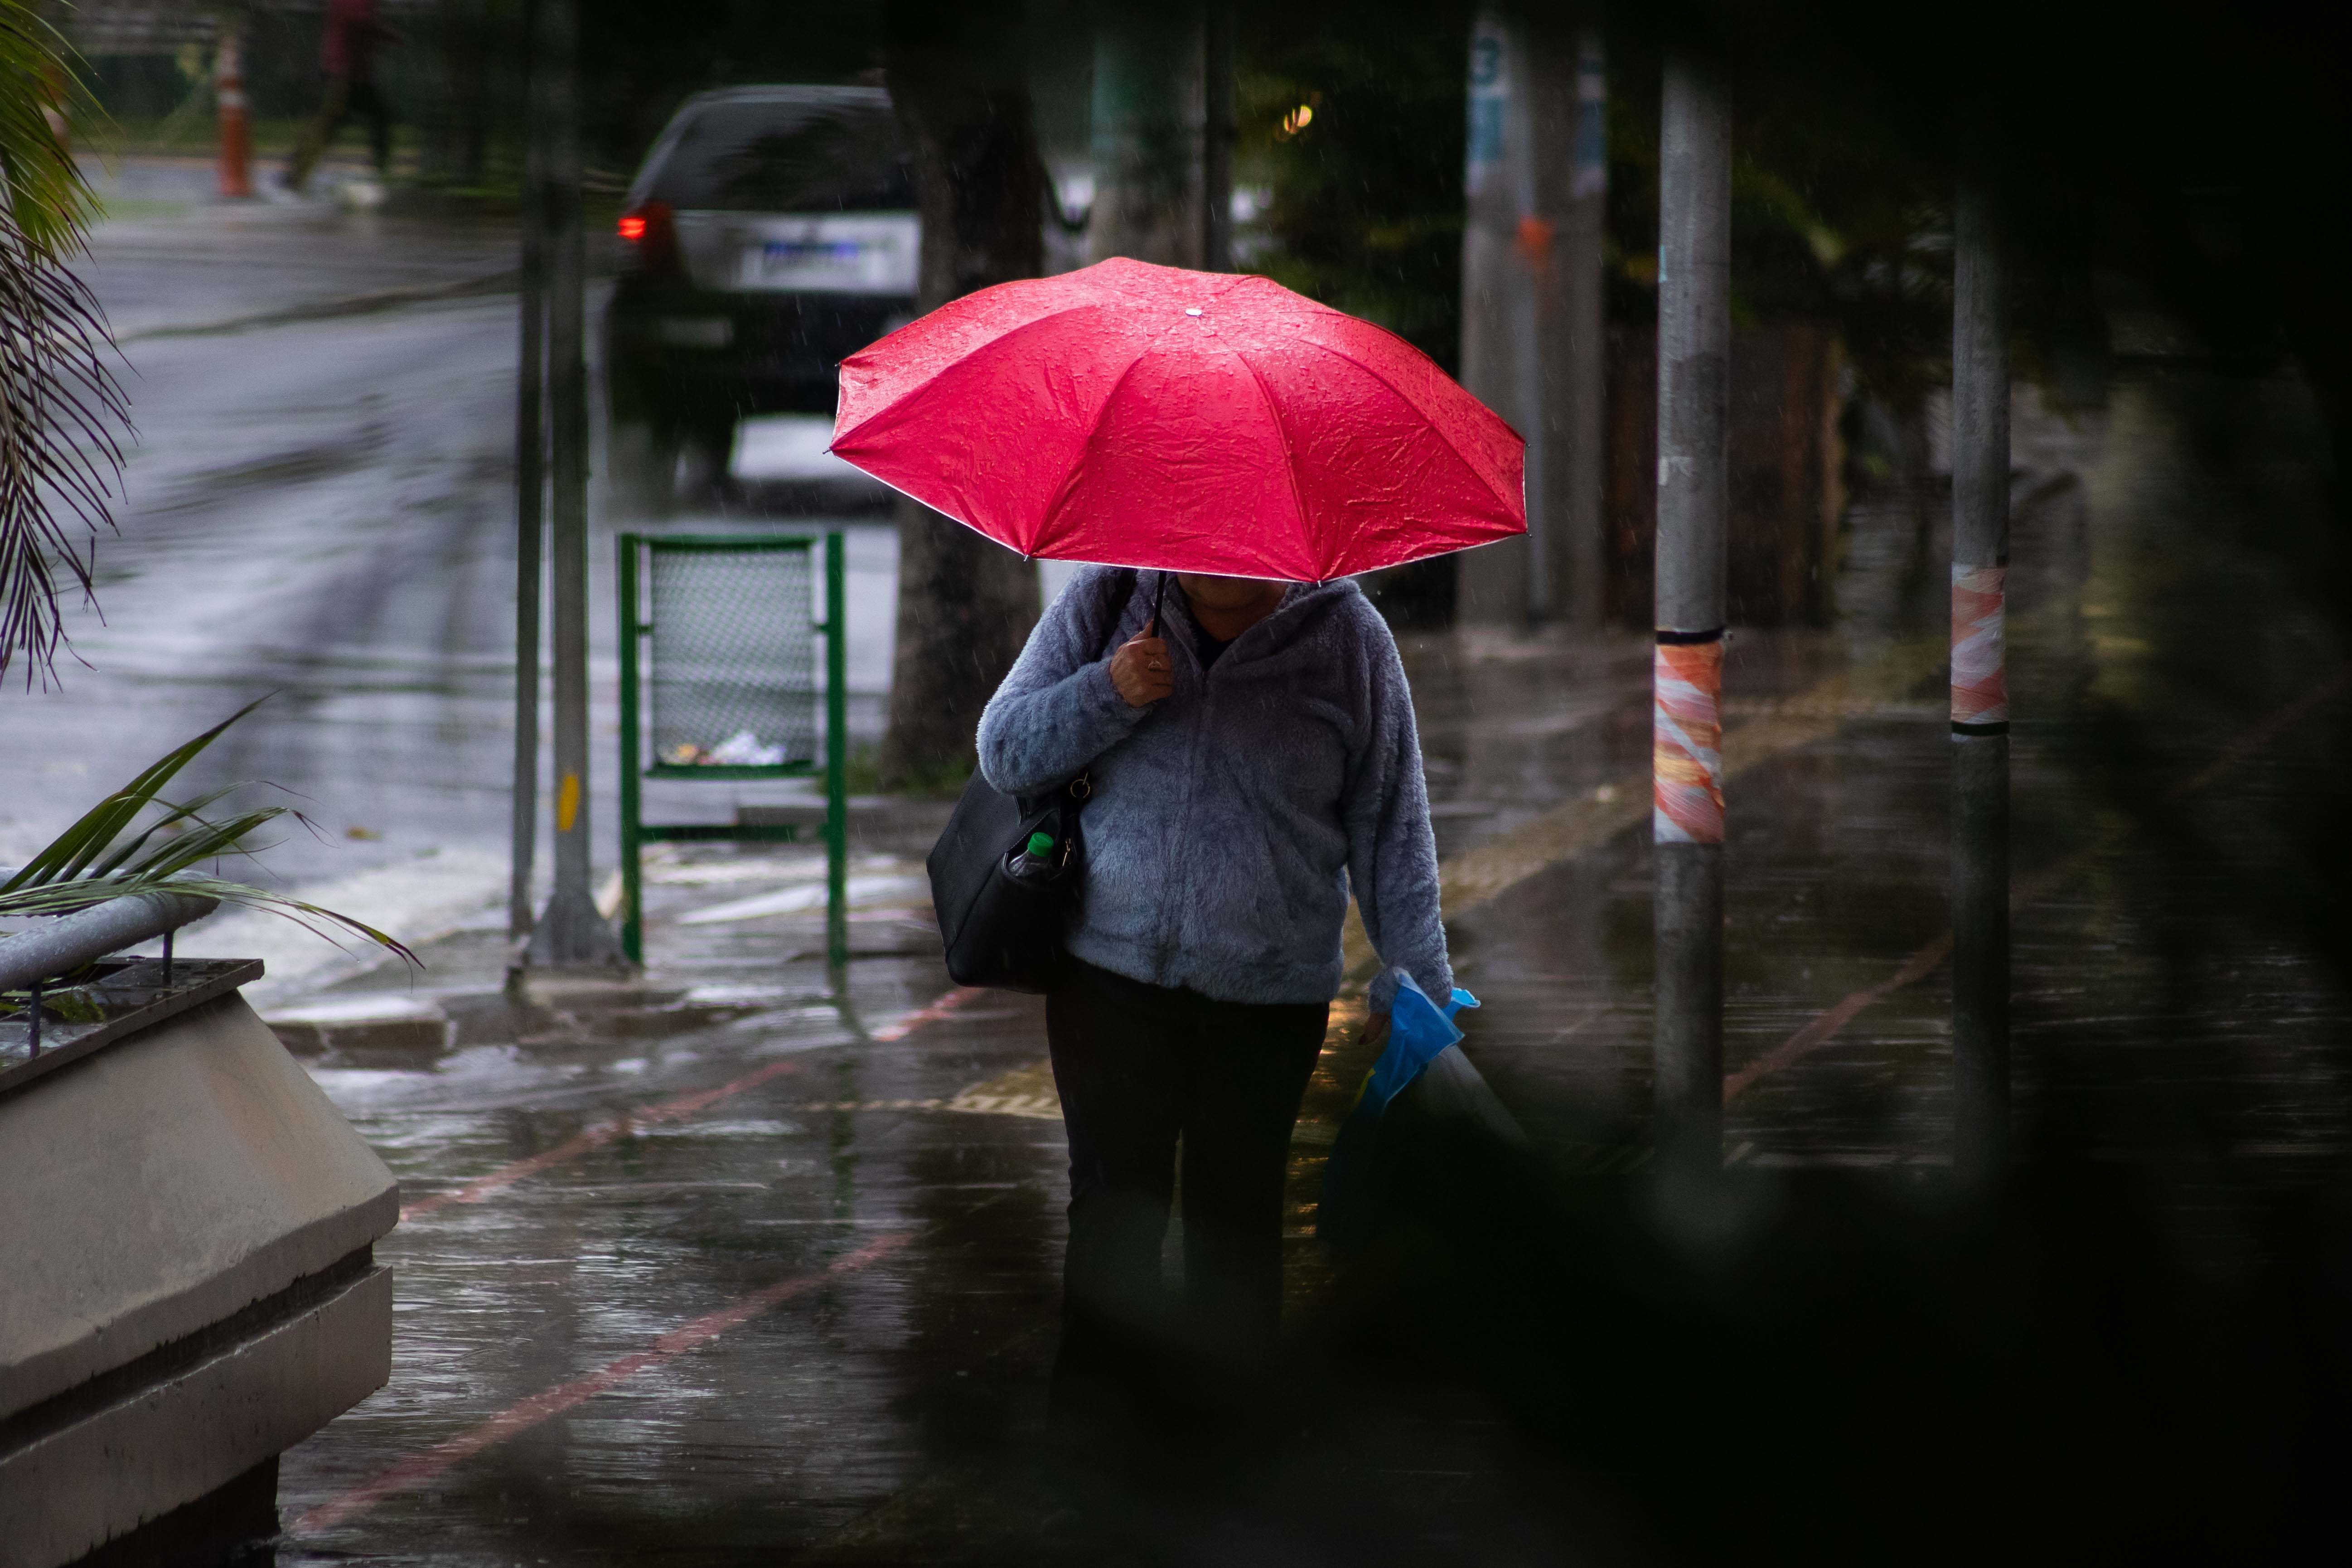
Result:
[{"x": 1001, "y": 913}]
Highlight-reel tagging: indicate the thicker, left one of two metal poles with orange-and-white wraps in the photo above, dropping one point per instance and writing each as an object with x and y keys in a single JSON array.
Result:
[{"x": 1688, "y": 822}]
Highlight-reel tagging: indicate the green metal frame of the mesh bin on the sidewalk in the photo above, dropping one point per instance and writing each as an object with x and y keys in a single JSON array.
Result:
[{"x": 634, "y": 549}]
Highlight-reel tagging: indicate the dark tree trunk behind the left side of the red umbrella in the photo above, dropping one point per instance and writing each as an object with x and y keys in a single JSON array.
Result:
[{"x": 965, "y": 603}]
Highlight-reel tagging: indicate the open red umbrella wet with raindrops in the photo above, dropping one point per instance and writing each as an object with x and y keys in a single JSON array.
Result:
[{"x": 1196, "y": 422}]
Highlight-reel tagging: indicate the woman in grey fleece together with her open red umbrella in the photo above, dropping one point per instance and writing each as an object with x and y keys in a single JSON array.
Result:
[{"x": 1227, "y": 455}]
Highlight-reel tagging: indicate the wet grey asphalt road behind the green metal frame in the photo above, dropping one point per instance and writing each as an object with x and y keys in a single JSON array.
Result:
[{"x": 319, "y": 511}]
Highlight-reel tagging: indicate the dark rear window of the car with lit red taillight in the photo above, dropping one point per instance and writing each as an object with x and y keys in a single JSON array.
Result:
[{"x": 768, "y": 156}]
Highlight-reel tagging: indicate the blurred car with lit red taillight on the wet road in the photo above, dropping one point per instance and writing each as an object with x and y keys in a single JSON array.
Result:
[{"x": 773, "y": 234}]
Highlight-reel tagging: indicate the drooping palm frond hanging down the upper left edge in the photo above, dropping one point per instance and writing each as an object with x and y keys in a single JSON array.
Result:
[{"x": 60, "y": 403}]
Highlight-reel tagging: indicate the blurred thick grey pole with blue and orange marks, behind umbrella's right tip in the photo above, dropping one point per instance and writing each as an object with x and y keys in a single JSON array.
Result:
[{"x": 1535, "y": 347}]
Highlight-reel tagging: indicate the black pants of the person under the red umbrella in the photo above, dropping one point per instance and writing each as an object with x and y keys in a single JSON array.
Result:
[{"x": 1142, "y": 1066}]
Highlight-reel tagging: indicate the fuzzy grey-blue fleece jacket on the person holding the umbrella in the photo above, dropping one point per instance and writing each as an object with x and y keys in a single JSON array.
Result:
[{"x": 1231, "y": 819}]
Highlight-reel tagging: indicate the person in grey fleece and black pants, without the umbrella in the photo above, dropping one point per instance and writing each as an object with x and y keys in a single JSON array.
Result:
[{"x": 1255, "y": 760}]
